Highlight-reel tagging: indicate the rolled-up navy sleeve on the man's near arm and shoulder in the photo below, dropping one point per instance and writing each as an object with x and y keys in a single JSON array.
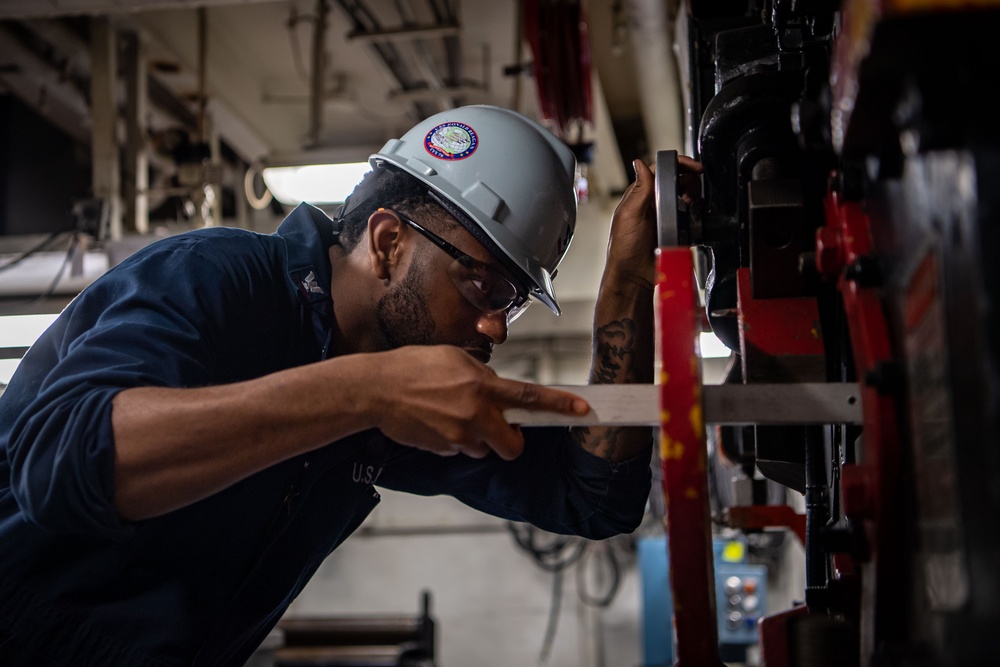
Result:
[{"x": 152, "y": 321}]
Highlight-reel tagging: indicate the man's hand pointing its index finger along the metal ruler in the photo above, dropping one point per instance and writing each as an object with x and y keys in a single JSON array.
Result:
[{"x": 446, "y": 402}]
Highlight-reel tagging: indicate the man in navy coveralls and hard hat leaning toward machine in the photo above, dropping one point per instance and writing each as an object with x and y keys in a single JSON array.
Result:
[{"x": 178, "y": 448}]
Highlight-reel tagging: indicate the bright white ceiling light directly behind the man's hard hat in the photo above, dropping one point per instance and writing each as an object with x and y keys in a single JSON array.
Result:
[{"x": 314, "y": 183}]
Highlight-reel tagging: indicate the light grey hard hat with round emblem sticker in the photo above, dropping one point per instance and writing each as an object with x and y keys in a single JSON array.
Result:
[{"x": 507, "y": 179}]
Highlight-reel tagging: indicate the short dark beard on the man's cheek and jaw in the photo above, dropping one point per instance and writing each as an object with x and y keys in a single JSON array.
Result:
[{"x": 403, "y": 316}]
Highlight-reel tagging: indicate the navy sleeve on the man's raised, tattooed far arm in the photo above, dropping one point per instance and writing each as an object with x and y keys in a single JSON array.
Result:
[{"x": 554, "y": 484}]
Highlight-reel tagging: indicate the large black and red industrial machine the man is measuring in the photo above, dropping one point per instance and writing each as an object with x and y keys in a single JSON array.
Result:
[{"x": 850, "y": 227}]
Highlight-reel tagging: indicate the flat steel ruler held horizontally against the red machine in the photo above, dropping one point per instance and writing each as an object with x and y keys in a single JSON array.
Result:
[{"x": 639, "y": 405}]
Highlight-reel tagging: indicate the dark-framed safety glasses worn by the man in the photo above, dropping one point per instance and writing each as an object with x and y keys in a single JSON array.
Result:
[{"x": 482, "y": 286}]
